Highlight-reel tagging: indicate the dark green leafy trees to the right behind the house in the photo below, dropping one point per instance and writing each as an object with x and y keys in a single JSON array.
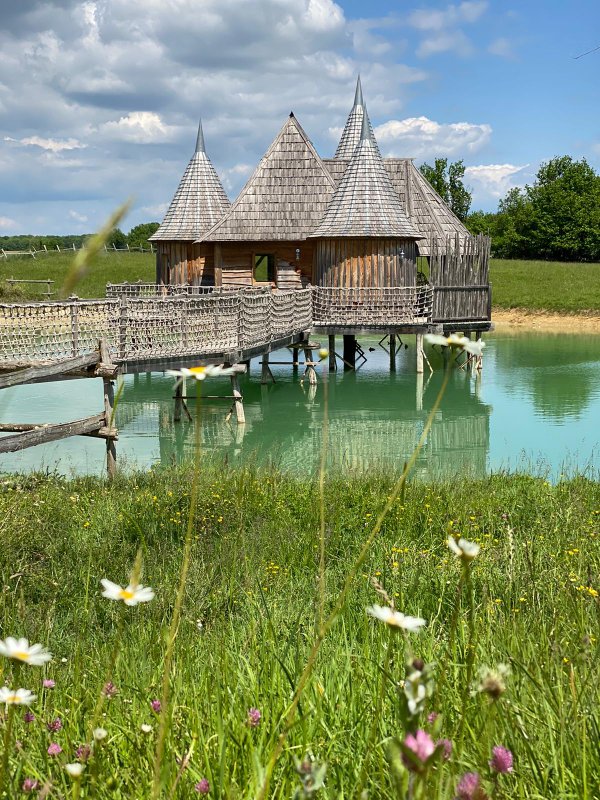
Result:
[{"x": 556, "y": 218}]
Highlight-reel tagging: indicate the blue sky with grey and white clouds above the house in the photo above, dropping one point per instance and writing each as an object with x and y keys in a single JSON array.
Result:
[{"x": 99, "y": 100}]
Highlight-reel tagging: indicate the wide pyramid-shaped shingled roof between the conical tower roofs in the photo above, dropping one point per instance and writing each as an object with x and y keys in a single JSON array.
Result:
[{"x": 286, "y": 196}]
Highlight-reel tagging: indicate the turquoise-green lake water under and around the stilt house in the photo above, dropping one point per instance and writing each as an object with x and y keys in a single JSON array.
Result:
[{"x": 536, "y": 406}]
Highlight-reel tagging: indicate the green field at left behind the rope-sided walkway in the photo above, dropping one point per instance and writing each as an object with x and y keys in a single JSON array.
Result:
[{"x": 109, "y": 268}]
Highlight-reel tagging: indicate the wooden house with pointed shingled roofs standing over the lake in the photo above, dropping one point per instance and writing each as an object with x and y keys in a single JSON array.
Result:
[{"x": 353, "y": 222}]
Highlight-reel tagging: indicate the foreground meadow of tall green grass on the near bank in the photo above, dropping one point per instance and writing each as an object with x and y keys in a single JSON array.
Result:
[{"x": 250, "y": 615}]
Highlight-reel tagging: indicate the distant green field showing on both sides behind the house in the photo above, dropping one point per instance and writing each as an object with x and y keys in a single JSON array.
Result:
[{"x": 536, "y": 285}]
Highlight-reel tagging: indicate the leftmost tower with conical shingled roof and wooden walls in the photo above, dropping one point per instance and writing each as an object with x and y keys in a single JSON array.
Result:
[{"x": 199, "y": 202}]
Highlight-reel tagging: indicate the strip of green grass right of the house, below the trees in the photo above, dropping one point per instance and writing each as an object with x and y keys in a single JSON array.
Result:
[{"x": 546, "y": 286}]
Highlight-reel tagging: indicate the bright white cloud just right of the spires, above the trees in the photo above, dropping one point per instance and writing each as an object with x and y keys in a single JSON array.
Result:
[{"x": 420, "y": 137}]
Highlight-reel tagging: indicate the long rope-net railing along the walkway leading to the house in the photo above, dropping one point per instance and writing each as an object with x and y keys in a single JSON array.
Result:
[{"x": 138, "y": 328}]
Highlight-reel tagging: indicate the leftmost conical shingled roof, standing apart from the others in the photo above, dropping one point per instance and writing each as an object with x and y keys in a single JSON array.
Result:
[{"x": 199, "y": 201}]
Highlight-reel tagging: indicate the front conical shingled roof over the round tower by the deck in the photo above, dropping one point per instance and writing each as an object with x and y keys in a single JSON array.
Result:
[{"x": 365, "y": 203}]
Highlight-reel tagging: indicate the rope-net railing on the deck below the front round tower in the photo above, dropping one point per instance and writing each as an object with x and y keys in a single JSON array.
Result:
[{"x": 371, "y": 307}]
